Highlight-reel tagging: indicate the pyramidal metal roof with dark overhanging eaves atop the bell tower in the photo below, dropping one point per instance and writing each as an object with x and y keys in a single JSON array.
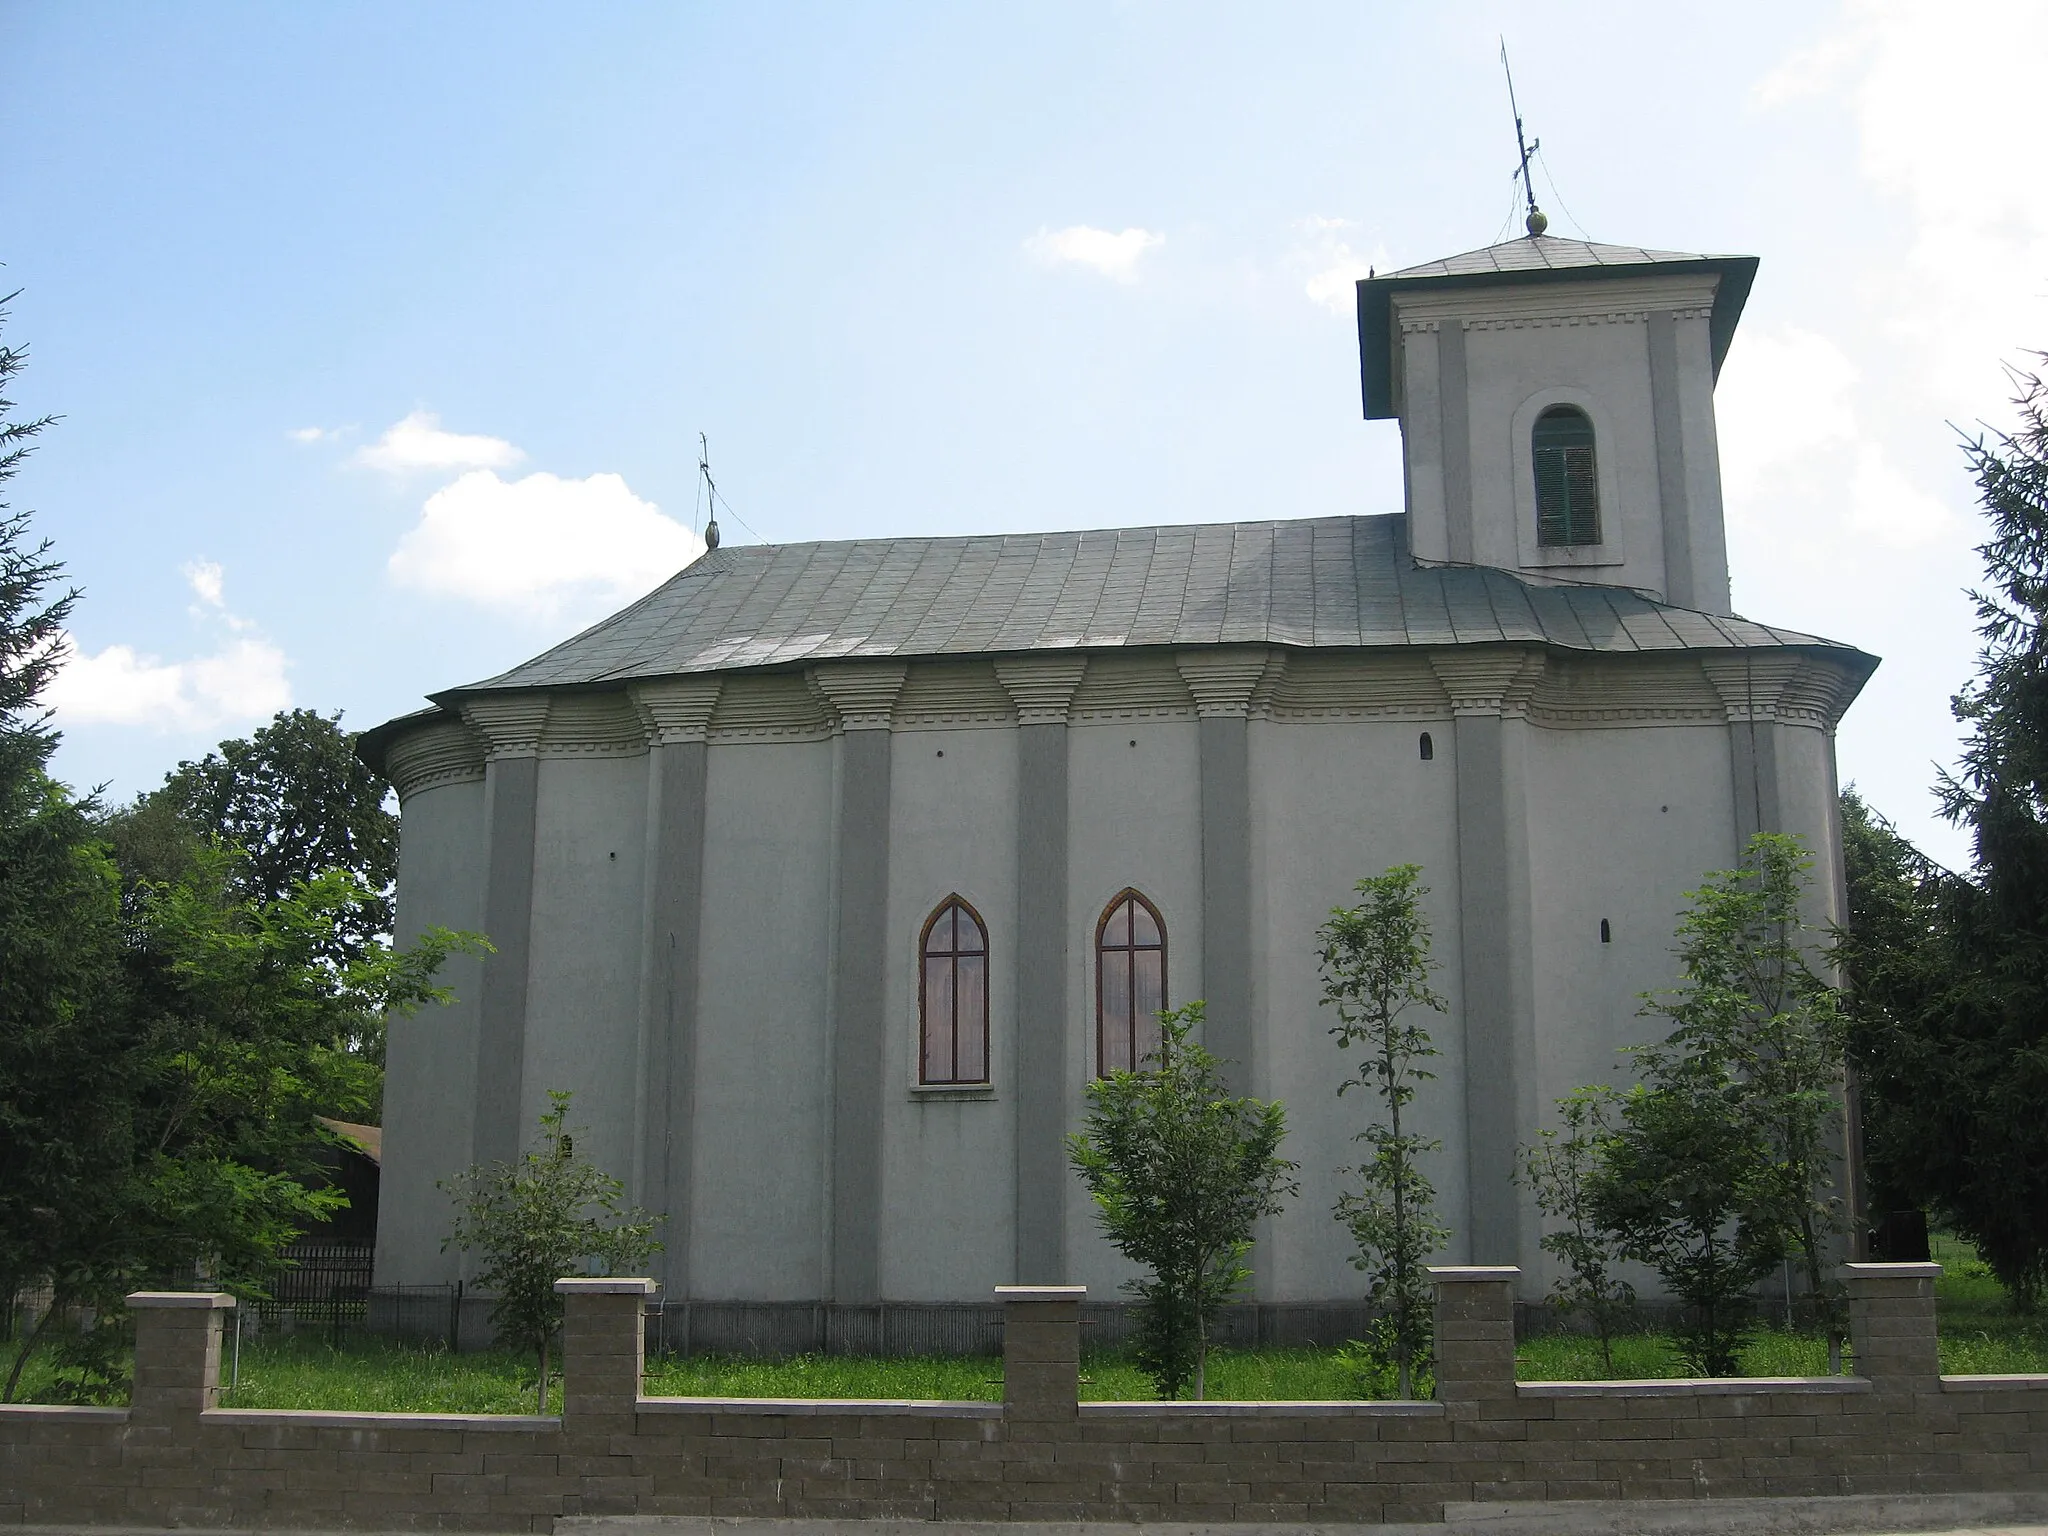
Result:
[{"x": 1535, "y": 259}]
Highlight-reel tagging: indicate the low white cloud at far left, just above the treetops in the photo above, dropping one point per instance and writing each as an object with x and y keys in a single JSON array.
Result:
[{"x": 243, "y": 681}]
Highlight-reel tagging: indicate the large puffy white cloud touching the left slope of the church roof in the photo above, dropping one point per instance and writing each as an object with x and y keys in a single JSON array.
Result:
[{"x": 542, "y": 546}]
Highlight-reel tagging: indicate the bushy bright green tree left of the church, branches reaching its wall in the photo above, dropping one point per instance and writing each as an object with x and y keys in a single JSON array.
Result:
[{"x": 167, "y": 1125}]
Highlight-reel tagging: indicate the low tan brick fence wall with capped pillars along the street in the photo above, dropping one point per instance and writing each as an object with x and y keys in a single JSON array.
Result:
[{"x": 173, "y": 1459}]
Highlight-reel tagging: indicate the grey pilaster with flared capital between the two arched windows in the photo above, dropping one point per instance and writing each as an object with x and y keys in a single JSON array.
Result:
[{"x": 1041, "y": 689}]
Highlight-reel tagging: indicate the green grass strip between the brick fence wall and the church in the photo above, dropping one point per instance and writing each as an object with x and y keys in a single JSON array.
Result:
[{"x": 1979, "y": 1334}]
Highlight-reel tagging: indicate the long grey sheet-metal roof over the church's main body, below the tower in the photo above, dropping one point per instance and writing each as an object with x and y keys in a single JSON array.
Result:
[{"x": 1306, "y": 583}]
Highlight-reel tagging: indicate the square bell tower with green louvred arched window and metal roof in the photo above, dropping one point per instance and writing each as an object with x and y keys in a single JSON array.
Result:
[{"x": 1558, "y": 411}]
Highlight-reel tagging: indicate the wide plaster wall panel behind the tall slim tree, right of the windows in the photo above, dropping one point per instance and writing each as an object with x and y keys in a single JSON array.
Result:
[{"x": 1332, "y": 804}]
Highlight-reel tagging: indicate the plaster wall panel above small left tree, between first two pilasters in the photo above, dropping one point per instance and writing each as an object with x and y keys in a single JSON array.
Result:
[{"x": 583, "y": 982}]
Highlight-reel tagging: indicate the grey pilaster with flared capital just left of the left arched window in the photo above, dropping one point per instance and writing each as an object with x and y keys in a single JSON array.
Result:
[{"x": 861, "y": 697}]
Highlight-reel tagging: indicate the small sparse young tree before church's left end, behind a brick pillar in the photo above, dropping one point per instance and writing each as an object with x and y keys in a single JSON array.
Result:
[{"x": 540, "y": 1220}]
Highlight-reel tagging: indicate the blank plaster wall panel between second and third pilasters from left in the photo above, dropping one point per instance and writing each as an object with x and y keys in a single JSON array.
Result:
[{"x": 763, "y": 1105}]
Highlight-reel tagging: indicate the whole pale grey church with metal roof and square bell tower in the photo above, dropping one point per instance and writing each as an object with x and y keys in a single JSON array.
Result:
[{"x": 828, "y": 876}]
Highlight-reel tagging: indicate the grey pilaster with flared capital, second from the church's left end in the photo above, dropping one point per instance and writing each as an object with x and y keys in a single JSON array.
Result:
[{"x": 677, "y": 718}]
